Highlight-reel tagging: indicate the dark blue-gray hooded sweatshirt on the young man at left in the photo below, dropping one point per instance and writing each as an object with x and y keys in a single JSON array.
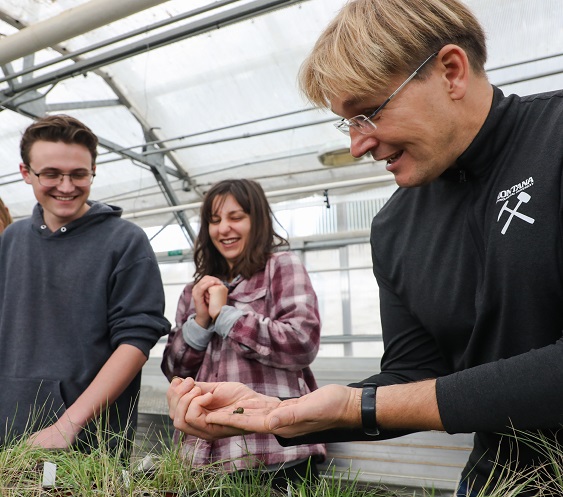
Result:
[{"x": 68, "y": 299}]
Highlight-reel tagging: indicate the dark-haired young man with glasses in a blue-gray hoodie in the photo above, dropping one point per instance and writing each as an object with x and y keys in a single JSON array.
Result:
[{"x": 81, "y": 301}]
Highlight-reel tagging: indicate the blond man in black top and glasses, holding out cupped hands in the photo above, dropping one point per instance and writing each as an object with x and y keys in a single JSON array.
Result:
[{"x": 467, "y": 253}]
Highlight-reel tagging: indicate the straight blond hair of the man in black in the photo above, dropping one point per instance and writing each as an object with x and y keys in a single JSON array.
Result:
[{"x": 370, "y": 41}]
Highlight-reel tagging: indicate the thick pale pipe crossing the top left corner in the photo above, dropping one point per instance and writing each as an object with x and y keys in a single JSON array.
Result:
[{"x": 68, "y": 24}]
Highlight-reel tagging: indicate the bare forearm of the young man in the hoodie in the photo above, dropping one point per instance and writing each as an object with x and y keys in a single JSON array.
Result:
[{"x": 112, "y": 379}]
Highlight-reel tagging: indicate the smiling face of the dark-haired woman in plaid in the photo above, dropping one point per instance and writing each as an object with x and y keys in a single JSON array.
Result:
[{"x": 229, "y": 228}]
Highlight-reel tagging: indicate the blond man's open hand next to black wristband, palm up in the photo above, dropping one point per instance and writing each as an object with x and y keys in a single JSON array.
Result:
[{"x": 332, "y": 406}]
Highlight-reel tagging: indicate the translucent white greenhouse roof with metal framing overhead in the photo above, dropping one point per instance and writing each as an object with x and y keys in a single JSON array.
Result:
[{"x": 183, "y": 93}]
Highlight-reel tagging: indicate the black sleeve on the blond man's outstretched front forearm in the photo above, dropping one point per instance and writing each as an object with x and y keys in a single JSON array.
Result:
[{"x": 528, "y": 385}]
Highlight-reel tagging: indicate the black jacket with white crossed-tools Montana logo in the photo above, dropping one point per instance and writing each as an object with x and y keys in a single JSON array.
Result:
[{"x": 470, "y": 270}]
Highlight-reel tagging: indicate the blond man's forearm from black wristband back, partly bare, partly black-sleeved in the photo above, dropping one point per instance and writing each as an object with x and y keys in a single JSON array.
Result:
[{"x": 468, "y": 400}]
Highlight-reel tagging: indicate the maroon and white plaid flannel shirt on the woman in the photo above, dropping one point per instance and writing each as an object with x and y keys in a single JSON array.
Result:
[{"x": 269, "y": 348}]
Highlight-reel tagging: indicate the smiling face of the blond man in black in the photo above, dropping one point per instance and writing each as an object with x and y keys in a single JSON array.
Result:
[{"x": 421, "y": 132}]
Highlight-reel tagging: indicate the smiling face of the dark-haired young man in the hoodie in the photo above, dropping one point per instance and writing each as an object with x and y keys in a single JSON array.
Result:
[{"x": 65, "y": 202}]
